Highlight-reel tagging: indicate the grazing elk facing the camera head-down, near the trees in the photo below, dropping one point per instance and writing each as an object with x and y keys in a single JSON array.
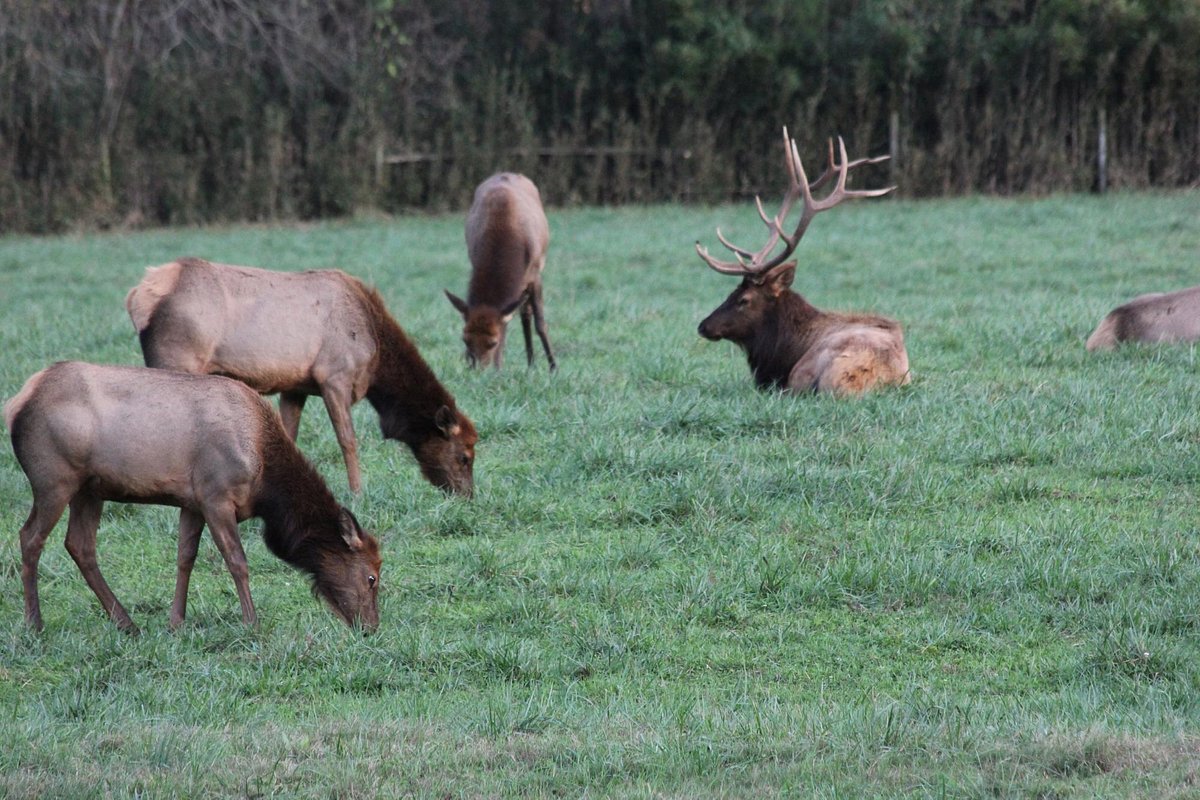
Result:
[{"x": 507, "y": 242}]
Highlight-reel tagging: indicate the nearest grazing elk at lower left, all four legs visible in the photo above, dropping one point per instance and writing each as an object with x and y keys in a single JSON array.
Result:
[{"x": 87, "y": 434}]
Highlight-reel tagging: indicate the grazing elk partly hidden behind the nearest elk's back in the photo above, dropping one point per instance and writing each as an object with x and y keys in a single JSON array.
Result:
[{"x": 301, "y": 334}]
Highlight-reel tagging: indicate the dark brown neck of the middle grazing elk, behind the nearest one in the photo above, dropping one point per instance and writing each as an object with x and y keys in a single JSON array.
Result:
[{"x": 404, "y": 390}]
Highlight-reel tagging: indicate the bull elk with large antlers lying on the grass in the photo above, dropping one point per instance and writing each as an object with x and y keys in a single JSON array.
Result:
[{"x": 790, "y": 344}]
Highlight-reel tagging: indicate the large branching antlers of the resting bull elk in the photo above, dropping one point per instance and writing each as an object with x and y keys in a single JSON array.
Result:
[{"x": 755, "y": 263}]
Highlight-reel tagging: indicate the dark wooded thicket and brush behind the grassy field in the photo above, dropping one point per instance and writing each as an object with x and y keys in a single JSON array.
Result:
[{"x": 140, "y": 112}]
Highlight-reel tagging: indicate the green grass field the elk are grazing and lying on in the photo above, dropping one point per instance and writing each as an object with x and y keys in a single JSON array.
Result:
[{"x": 669, "y": 584}]
